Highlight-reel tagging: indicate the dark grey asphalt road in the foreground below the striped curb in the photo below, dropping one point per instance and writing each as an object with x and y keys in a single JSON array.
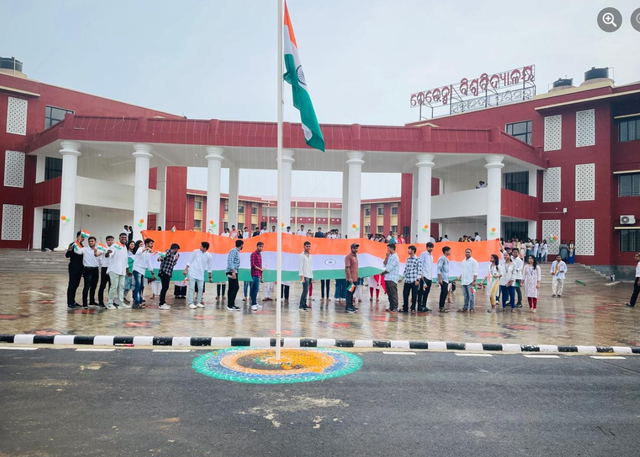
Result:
[{"x": 67, "y": 402}]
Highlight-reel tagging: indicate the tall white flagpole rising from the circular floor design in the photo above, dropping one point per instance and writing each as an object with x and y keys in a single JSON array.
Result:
[{"x": 280, "y": 187}]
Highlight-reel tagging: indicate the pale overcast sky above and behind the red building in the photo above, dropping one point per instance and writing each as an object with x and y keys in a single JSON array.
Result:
[{"x": 362, "y": 58}]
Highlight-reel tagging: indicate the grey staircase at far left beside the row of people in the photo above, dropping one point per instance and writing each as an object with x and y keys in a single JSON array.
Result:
[{"x": 38, "y": 262}]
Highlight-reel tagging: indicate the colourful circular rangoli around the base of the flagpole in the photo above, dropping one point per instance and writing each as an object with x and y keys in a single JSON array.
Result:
[{"x": 259, "y": 365}]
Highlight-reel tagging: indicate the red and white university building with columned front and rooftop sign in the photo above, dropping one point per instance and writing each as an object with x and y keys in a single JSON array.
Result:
[{"x": 564, "y": 165}]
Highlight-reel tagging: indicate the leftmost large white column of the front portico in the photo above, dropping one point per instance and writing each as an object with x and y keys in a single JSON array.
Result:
[{"x": 70, "y": 153}]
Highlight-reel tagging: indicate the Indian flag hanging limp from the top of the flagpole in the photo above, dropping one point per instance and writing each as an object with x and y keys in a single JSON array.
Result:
[{"x": 295, "y": 77}]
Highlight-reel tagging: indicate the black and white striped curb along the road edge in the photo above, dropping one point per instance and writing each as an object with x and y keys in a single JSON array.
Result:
[{"x": 182, "y": 341}]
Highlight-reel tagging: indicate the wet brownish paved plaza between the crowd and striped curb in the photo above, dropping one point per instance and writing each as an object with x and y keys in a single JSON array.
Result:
[{"x": 585, "y": 315}]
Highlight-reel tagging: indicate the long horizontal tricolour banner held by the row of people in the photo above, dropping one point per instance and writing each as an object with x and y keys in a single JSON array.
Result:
[{"x": 327, "y": 255}]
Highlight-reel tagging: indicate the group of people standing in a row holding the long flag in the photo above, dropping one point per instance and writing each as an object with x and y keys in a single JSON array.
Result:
[{"x": 121, "y": 266}]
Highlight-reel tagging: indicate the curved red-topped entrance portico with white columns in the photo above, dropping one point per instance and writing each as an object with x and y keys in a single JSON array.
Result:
[{"x": 128, "y": 180}]
